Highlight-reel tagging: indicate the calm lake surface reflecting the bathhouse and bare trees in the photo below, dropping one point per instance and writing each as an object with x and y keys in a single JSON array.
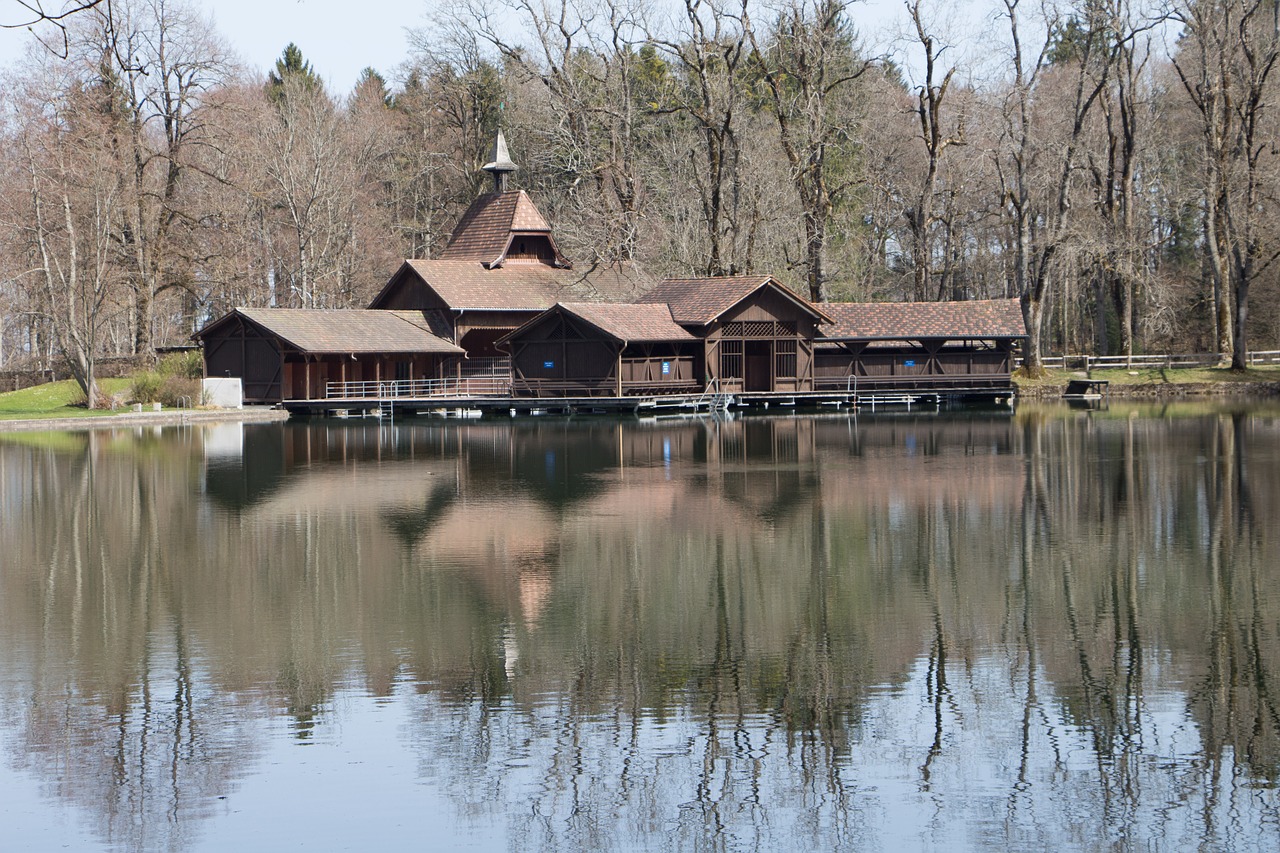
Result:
[{"x": 1032, "y": 631}]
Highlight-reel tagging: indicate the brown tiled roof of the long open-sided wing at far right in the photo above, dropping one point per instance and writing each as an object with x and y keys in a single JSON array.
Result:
[{"x": 916, "y": 321}]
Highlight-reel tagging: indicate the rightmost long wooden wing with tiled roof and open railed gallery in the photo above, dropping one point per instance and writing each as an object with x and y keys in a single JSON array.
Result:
[{"x": 920, "y": 346}]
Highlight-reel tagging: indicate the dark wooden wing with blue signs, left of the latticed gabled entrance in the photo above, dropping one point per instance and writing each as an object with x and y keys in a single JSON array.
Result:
[{"x": 604, "y": 350}]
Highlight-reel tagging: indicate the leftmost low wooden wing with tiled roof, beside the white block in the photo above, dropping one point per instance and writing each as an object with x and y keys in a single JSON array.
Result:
[{"x": 292, "y": 354}]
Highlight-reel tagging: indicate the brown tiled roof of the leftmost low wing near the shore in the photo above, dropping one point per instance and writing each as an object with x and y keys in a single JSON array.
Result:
[{"x": 351, "y": 331}]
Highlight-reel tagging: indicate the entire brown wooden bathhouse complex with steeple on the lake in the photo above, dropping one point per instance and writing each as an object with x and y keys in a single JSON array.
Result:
[{"x": 504, "y": 316}]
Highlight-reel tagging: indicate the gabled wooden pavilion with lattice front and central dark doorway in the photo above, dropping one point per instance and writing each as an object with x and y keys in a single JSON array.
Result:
[{"x": 757, "y": 335}]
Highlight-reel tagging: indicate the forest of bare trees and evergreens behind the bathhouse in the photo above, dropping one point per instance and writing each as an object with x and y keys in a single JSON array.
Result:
[{"x": 1112, "y": 165}]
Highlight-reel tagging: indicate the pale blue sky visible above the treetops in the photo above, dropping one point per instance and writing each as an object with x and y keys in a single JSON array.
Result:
[{"x": 341, "y": 39}]
